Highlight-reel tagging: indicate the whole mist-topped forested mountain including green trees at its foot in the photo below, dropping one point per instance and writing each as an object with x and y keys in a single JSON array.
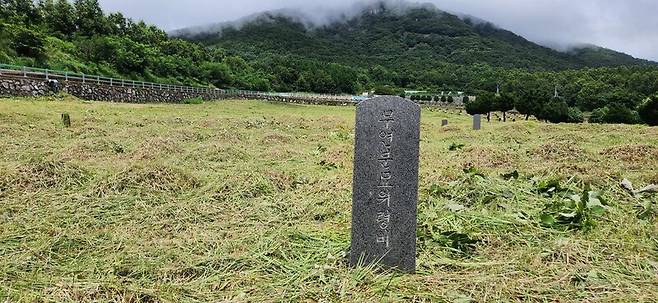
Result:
[{"x": 390, "y": 48}]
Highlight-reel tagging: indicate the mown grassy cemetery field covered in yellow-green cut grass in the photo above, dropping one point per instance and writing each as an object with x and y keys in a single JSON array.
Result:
[{"x": 247, "y": 201}]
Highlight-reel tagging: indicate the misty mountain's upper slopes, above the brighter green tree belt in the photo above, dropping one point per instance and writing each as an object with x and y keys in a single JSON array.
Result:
[{"x": 404, "y": 39}]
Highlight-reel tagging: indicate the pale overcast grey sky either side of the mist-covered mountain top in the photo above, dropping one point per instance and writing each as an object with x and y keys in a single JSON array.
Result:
[{"x": 630, "y": 26}]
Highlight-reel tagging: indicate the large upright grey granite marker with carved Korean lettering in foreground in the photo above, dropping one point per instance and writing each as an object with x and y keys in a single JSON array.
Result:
[{"x": 385, "y": 185}]
